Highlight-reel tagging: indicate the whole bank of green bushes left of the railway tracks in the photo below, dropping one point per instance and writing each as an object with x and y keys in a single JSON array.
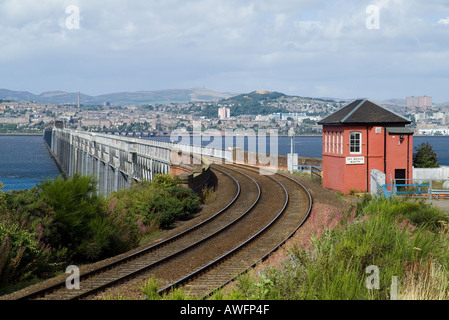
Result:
[{"x": 63, "y": 222}]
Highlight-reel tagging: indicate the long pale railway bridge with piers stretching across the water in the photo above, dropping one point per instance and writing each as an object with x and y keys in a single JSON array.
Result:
[{"x": 117, "y": 161}]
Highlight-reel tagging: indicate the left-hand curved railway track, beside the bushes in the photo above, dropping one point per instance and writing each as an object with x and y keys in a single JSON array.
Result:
[{"x": 246, "y": 196}]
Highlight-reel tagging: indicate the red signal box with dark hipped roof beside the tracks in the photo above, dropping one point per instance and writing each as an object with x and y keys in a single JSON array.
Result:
[{"x": 363, "y": 136}]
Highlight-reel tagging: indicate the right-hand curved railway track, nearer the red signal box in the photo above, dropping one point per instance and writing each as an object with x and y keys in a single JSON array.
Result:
[{"x": 220, "y": 272}]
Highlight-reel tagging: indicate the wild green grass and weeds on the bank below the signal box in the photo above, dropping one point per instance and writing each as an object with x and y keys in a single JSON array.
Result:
[{"x": 403, "y": 238}]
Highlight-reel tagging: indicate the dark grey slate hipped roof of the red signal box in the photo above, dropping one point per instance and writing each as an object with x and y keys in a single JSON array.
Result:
[{"x": 363, "y": 112}]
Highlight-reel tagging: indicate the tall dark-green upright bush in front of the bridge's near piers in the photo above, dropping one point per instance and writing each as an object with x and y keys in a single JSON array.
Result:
[{"x": 80, "y": 223}]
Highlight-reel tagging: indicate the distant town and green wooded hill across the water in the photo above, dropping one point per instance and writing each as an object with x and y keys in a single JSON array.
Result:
[{"x": 256, "y": 110}]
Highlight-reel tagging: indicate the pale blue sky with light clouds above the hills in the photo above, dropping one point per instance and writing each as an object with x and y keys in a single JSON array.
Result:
[{"x": 376, "y": 49}]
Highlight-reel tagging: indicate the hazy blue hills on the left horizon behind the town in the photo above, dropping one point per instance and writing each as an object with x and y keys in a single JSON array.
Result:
[{"x": 120, "y": 98}]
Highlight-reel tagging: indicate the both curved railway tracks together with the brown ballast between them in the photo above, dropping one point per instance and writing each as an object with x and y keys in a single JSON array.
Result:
[{"x": 212, "y": 253}]
